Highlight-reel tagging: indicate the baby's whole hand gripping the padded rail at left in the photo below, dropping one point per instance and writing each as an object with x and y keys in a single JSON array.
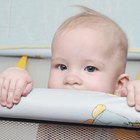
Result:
[{"x": 14, "y": 83}]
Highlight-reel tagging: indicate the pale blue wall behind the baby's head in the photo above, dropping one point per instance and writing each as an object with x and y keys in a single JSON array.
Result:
[{"x": 35, "y": 21}]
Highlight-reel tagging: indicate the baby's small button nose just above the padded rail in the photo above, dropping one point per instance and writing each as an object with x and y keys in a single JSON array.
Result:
[{"x": 72, "y": 80}]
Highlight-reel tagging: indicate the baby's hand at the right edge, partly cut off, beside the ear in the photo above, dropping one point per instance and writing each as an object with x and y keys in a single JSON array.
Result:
[{"x": 132, "y": 91}]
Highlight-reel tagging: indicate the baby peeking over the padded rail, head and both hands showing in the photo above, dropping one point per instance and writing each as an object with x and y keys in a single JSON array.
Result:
[{"x": 89, "y": 52}]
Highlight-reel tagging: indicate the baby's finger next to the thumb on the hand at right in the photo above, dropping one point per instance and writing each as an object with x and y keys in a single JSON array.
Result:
[{"x": 130, "y": 95}]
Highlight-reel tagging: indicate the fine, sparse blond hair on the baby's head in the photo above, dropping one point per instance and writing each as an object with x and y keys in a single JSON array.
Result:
[{"x": 92, "y": 19}]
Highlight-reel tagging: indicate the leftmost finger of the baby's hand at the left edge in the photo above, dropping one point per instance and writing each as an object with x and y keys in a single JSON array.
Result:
[{"x": 4, "y": 92}]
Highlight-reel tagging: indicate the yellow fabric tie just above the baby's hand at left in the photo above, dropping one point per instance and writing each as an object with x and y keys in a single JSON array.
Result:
[{"x": 22, "y": 63}]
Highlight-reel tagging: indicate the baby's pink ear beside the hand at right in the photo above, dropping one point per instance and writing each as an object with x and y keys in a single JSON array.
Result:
[{"x": 121, "y": 85}]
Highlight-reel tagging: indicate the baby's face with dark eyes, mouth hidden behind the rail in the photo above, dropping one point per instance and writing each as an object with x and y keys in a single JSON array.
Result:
[{"x": 81, "y": 60}]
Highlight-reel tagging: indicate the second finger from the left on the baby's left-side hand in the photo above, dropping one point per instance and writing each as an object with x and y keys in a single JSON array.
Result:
[{"x": 11, "y": 93}]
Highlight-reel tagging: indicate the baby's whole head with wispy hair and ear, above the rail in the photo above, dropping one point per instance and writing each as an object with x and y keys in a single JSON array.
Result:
[{"x": 89, "y": 52}]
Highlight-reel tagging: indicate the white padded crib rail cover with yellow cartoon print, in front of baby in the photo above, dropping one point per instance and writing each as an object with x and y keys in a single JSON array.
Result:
[{"x": 75, "y": 106}]
